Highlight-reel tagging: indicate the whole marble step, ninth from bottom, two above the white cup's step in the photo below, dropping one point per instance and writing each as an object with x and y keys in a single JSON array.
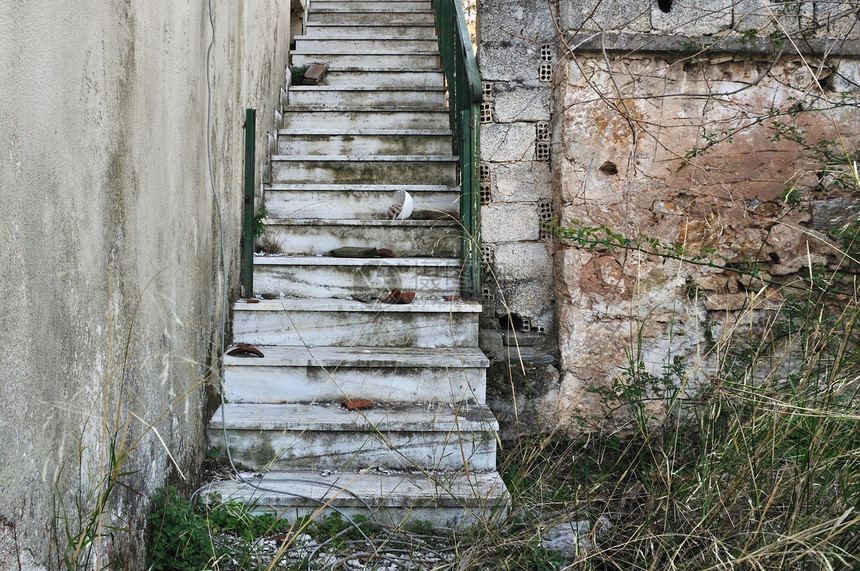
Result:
[{"x": 364, "y": 142}]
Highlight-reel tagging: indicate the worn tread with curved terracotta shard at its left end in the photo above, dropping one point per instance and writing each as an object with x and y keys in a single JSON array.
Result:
[{"x": 301, "y": 356}]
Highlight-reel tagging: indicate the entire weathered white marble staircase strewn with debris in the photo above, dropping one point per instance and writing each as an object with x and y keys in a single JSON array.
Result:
[{"x": 426, "y": 450}]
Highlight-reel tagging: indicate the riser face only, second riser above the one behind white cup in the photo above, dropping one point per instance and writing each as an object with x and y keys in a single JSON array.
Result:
[{"x": 364, "y": 144}]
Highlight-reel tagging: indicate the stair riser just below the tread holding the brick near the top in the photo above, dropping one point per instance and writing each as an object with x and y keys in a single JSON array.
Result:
[{"x": 329, "y": 98}]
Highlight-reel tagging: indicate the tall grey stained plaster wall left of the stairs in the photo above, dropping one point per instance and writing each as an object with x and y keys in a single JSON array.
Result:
[{"x": 110, "y": 265}]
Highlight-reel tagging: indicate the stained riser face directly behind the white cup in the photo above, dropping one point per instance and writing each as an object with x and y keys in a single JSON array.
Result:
[{"x": 350, "y": 203}]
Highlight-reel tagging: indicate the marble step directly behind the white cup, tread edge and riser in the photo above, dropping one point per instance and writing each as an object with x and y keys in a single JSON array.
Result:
[{"x": 361, "y": 201}]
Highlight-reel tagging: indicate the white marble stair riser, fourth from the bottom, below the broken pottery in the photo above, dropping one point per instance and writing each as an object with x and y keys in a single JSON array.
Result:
[{"x": 347, "y": 329}]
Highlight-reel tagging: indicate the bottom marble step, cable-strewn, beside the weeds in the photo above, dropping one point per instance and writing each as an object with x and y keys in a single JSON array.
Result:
[{"x": 452, "y": 501}]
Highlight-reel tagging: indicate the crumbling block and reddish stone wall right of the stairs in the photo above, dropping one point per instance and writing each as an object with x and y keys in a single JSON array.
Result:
[{"x": 625, "y": 98}]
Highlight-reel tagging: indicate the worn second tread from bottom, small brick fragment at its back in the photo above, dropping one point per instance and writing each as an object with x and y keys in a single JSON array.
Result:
[{"x": 409, "y": 417}]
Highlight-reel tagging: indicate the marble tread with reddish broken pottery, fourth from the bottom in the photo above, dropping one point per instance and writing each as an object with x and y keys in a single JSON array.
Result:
[{"x": 350, "y": 305}]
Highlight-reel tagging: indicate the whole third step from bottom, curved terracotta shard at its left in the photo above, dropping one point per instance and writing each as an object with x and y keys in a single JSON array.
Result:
[{"x": 332, "y": 374}]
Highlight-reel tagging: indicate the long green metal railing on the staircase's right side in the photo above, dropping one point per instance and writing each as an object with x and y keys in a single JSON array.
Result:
[{"x": 464, "y": 99}]
